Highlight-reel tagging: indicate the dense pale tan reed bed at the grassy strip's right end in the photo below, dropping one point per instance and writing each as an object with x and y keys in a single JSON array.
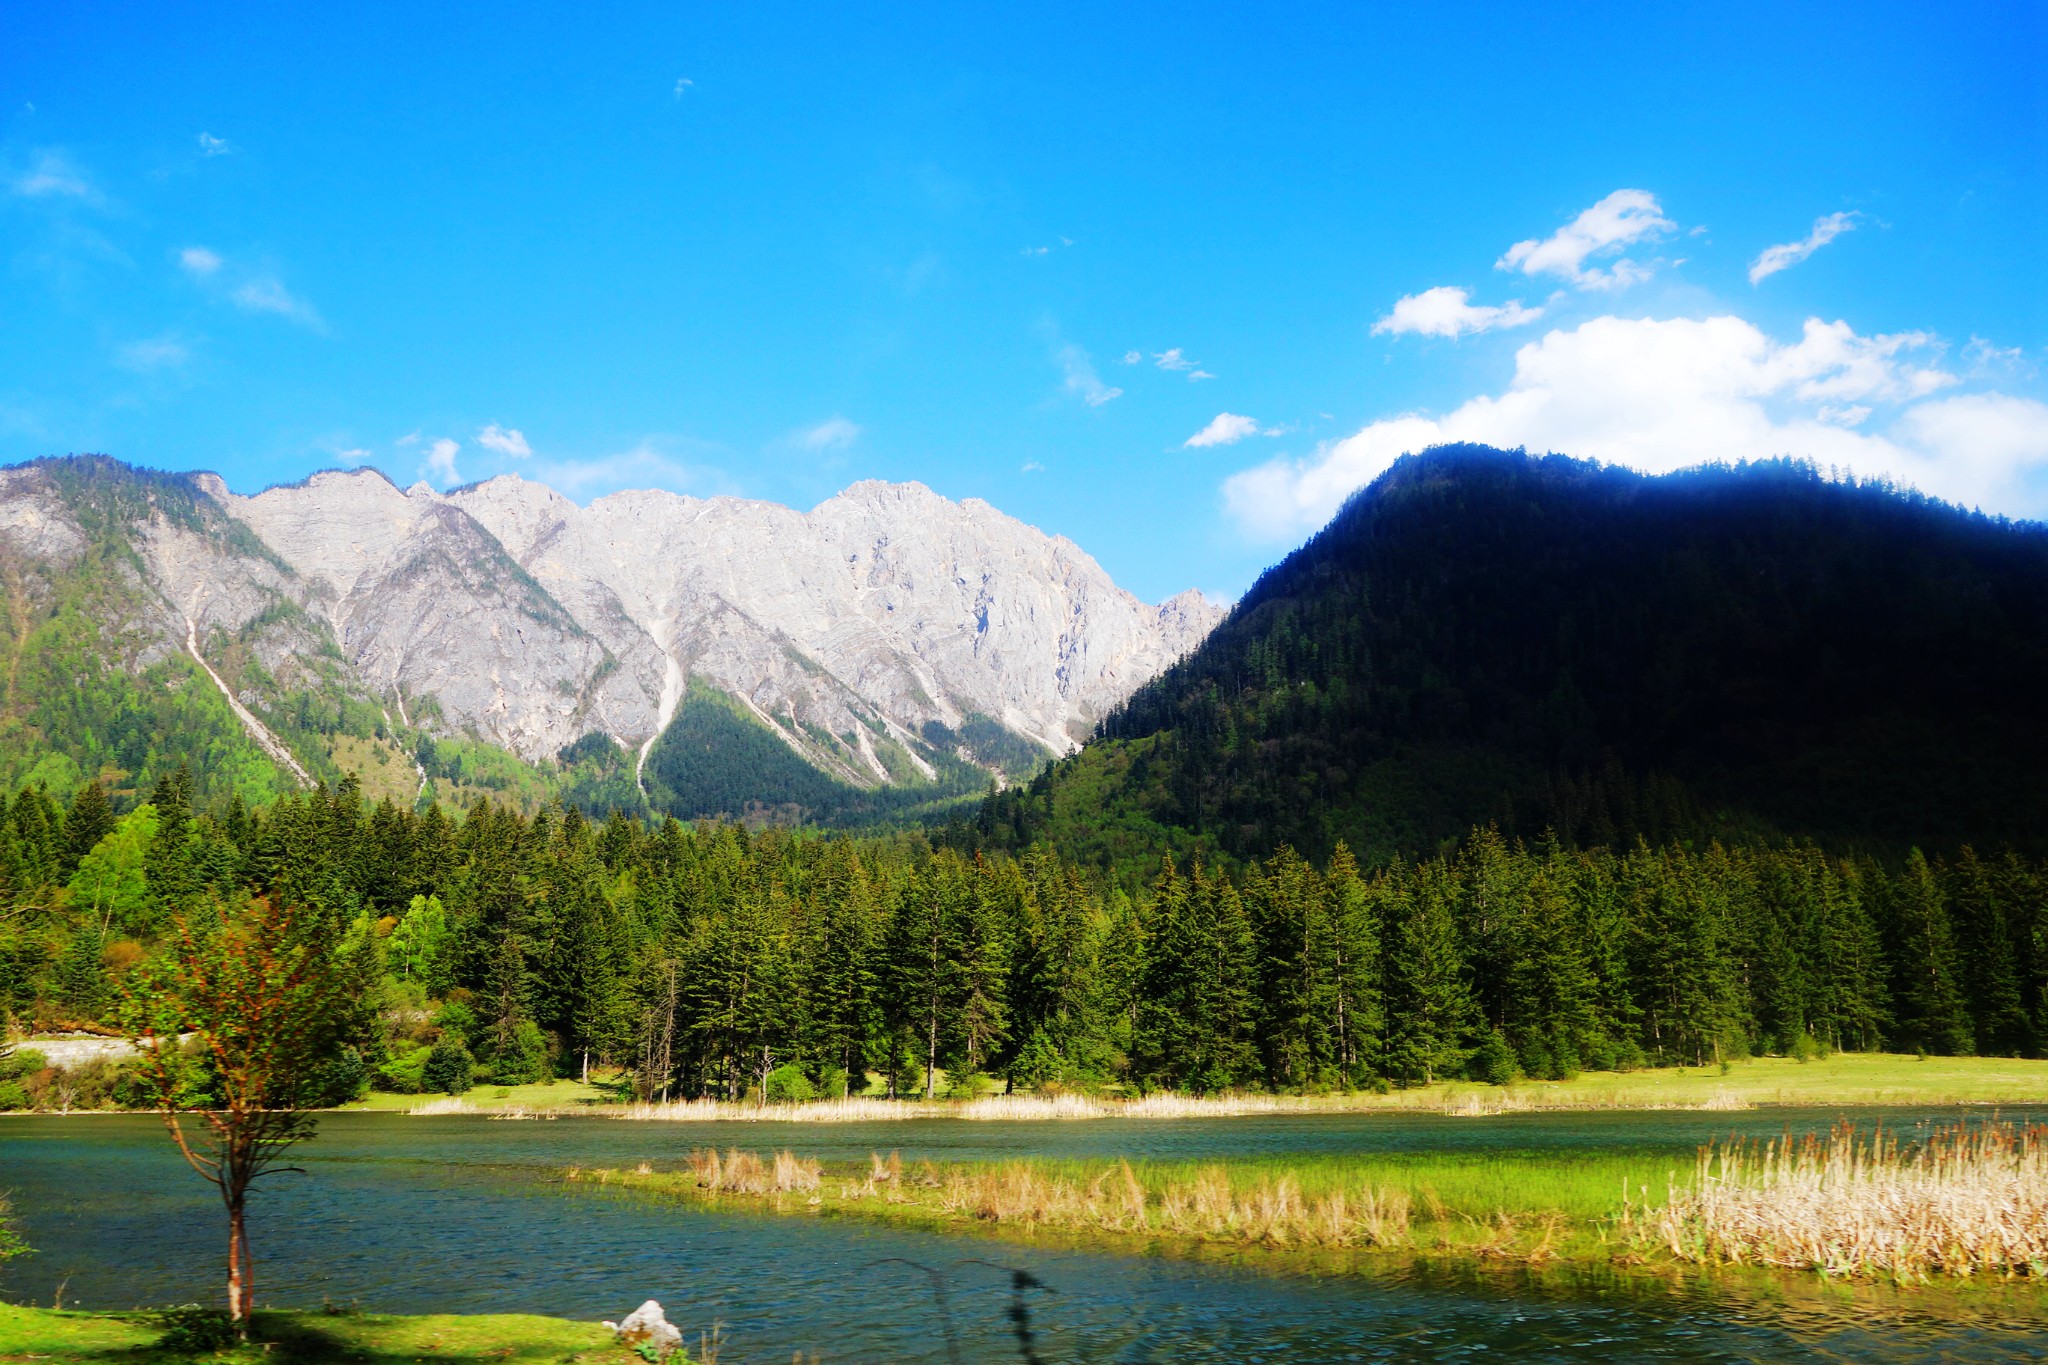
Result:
[{"x": 1969, "y": 1200}]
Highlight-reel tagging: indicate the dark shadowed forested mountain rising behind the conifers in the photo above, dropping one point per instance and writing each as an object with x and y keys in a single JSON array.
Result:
[{"x": 1551, "y": 644}]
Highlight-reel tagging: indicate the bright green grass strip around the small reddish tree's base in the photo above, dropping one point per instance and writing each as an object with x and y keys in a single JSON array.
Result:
[{"x": 310, "y": 1337}]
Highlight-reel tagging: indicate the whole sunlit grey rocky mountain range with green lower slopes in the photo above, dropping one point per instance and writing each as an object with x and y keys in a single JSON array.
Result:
[{"x": 505, "y": 637}]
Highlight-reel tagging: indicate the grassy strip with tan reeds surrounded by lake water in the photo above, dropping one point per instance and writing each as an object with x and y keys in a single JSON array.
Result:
[{"x": 1971, "y": 1200}]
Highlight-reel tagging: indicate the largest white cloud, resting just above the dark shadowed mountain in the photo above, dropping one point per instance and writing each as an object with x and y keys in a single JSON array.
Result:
[{"x": 1668, "y": 394}]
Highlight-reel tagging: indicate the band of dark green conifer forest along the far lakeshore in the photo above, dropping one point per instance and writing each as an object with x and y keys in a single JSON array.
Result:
[{"x": 712, "y": 961}]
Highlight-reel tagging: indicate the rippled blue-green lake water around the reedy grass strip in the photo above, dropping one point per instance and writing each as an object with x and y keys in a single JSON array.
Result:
[{"x": 404, "y": 1215}]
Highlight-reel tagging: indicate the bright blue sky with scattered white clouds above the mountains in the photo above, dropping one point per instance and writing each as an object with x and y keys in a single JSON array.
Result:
[{"x": 732, "y": 251}]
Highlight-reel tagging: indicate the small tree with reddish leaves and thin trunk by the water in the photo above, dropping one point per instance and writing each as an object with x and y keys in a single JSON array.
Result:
[{"x": 234, "y": 1028}]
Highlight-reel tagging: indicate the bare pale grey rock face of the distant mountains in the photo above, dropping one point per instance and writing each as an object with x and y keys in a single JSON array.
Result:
[{"x": 884, "y": 623}]
